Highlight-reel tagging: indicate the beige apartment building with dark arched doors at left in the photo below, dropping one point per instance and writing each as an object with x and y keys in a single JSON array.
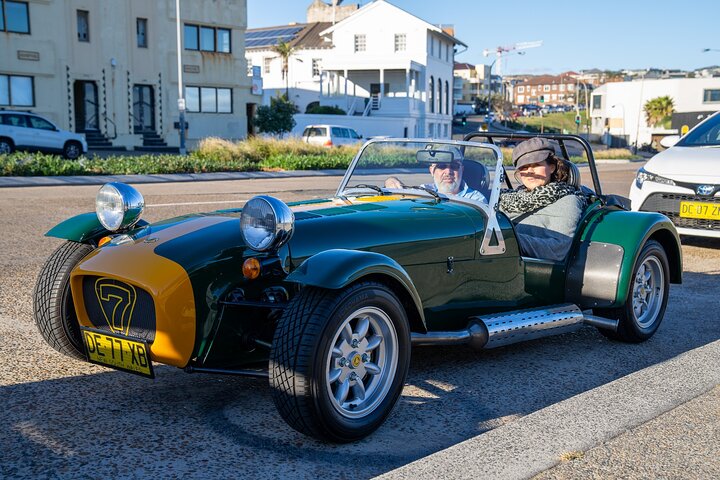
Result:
[{"x": 109, "y": 69}]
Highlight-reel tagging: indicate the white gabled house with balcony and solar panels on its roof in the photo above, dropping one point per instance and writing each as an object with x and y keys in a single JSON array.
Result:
[{"x": 389, "y": 70}]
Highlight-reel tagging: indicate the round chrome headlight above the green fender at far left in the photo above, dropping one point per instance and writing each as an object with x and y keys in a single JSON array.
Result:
[{"x": 118, "y": 206}]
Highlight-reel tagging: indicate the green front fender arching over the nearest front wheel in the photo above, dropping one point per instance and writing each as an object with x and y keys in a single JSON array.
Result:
[{"x": 337, "y": 268}]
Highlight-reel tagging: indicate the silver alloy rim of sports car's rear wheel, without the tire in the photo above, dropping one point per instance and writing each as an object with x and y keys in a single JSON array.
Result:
[{"x": 648, "y": 291}]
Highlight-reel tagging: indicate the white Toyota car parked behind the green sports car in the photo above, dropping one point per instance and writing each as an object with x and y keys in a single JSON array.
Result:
[{"x": 683, "y": 182}]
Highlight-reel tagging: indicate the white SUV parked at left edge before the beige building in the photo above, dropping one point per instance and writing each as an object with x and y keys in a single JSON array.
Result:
[{"x": 28, "y": 131}]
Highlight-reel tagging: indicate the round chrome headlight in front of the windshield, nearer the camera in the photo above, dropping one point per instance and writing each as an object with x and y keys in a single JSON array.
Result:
[{"x": 266, "y": 223}]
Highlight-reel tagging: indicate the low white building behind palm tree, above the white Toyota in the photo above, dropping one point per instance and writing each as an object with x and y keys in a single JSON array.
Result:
[{"x": 617, "y": 107}]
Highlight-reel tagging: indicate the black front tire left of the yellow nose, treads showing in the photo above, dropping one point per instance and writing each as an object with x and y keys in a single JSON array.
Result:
[{"x": 52, "y": 300}]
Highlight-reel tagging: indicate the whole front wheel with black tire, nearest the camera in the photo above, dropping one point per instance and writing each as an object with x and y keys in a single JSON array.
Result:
[{"x": 304, "y": 360}]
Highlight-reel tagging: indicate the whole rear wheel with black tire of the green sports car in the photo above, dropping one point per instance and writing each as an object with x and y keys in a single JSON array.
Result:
[{"x": 634, "y": 327}]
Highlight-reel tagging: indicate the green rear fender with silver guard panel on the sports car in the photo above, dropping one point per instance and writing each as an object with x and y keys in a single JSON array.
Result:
[{"x": 600, "y": 269}]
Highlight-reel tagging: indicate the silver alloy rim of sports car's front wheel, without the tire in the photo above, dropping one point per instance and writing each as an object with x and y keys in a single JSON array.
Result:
[{"x": 362, "y": 362}]
